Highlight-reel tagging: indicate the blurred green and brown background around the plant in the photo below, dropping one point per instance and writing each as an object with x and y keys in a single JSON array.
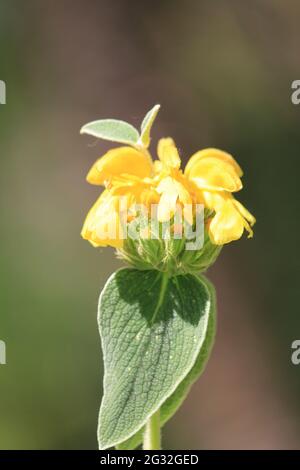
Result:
[{"x": 222, "y": 72}]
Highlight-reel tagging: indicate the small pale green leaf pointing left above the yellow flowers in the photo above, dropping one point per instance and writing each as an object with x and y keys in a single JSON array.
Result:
[{"x": 112, "y": 129}]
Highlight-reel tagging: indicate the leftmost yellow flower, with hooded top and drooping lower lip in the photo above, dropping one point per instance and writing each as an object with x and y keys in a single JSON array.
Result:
[{"x": 124, "y": 172}]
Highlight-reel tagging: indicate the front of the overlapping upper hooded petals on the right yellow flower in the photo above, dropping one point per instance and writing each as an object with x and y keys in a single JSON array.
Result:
[{"x": 215, "y": 175}]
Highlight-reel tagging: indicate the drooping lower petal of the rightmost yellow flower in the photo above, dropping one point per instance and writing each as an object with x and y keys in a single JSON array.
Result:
[{"x": 227, "y": 225}]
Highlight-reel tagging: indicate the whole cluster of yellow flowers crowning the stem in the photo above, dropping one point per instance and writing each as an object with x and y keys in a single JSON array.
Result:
[{"x": 129, "y": 174}]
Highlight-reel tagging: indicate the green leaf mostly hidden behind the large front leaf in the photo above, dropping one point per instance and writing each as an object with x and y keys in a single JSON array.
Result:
[{"x": 171, "y": 405}]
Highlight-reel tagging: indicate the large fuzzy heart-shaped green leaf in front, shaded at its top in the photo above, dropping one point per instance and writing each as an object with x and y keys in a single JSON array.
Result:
[{"x": 152, "y": 330}]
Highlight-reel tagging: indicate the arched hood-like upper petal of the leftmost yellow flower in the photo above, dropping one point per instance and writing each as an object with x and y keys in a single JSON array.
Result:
[{"x": 118, "y": 161}]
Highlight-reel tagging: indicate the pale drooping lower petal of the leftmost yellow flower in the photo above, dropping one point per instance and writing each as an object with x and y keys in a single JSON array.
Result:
[{"x": 102, "y": 226}]
